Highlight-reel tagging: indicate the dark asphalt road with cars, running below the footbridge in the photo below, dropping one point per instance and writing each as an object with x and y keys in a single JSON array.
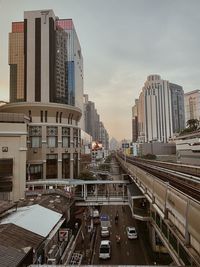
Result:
[{"x": 131, "y": 252}]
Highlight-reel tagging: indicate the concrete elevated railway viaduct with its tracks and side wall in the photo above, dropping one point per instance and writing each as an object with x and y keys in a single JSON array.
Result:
[{"x": 174, "y": 207}]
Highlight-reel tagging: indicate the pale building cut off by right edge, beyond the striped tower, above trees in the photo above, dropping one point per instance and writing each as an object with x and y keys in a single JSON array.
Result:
[{"x": 192, "y": 105}]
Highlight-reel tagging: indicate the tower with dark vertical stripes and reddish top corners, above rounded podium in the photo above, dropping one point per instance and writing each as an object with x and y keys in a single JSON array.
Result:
[{"x": 45, "y": 59}]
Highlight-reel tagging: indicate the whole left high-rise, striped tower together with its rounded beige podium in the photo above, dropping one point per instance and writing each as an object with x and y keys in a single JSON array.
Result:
[{"x": 39, "y": 89}]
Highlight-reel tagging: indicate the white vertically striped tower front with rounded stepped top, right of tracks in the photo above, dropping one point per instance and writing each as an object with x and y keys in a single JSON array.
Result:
[{"x": 157, "y": 109}]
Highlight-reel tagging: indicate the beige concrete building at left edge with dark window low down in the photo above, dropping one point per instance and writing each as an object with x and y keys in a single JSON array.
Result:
[{"x": 13, "y": 150}]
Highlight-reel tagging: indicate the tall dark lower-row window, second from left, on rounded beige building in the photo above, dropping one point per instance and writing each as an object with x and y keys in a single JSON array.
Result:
[{"x": 52, "y": 166}]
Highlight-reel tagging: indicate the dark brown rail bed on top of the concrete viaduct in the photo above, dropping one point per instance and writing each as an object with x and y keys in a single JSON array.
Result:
[{"x": 189, "y": 184}]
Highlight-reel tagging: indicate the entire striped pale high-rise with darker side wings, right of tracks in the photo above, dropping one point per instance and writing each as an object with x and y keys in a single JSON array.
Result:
[{"x": 159, "y": 111}]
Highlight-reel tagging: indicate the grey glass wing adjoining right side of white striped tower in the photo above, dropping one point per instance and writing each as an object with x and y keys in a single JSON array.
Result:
[{"x": 178, "y": 110}]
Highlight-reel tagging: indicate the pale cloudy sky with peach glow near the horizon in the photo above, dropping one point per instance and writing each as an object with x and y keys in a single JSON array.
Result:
[{"x": 122, "y": 41}]
